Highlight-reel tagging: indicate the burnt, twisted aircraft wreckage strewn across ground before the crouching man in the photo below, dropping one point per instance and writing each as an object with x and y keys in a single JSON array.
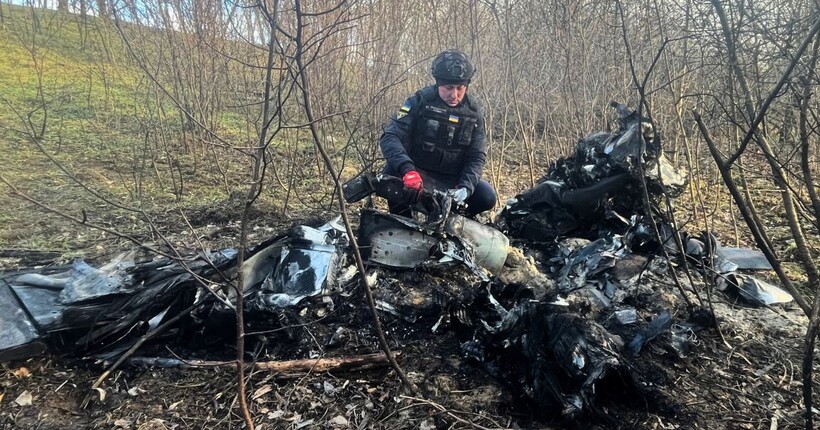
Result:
[{"x": 552, "y": 325}]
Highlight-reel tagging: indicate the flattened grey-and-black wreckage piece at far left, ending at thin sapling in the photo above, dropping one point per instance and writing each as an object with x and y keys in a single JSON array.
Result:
[{"x": 83, "y": 309}]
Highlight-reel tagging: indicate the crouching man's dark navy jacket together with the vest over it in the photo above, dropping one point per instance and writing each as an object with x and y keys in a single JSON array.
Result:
[{"x": 447, "y": 143}]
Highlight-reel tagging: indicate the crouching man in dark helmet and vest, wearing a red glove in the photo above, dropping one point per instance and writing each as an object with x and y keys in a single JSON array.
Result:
[{"x": 436, "y": 140}]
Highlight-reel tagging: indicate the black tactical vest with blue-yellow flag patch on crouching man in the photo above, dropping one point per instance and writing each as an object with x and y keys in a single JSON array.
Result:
[{"x": 442, "y": 134}]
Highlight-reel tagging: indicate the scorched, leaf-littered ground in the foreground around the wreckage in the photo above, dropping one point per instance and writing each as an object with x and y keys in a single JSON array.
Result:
[{"x": 746, "y": 375}]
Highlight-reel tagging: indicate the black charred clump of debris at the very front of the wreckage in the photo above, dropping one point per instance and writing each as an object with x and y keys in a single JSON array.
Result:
[{"x": 555, "y": 357}]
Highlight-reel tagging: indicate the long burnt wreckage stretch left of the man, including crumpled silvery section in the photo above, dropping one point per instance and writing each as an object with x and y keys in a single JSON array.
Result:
[{"x": 85, "y": 309}]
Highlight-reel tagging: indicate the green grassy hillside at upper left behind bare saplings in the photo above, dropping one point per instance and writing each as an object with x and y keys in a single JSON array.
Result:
[{"x": 84, "y": 132}]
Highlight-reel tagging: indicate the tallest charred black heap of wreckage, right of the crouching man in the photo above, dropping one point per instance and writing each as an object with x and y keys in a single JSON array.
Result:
[{"x": 599, "y": 182}]
